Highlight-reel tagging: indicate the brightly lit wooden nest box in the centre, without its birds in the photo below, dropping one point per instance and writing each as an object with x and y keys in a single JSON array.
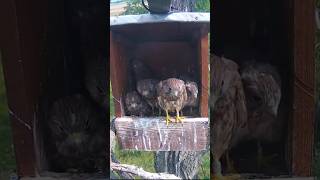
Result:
[{"x": 171, "y": 45}]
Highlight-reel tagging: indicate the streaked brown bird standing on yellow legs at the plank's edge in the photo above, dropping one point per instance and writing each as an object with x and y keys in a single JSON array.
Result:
[{"x": 172, "y": 96}]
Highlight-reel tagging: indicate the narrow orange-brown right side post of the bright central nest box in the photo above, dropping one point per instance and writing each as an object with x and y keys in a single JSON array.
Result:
[{"x": 204, "y": 54}]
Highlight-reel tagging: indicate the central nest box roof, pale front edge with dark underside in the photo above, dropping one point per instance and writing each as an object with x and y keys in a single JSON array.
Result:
[{"x": 161, "y": 27}]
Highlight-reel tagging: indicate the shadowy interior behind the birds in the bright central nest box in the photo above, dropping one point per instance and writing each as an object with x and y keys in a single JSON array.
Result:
[{"x": 167, "y": 49}]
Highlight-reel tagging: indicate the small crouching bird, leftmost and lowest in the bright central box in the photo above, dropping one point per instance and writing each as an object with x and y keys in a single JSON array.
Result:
[{"x": 136, "y": 105}]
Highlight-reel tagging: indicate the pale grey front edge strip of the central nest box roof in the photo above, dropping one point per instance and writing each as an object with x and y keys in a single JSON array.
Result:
[{"x": 159, "y": 18}]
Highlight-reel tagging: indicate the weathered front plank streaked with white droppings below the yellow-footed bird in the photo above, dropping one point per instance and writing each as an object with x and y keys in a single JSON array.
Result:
[{"x": 152, "y": 134}]
